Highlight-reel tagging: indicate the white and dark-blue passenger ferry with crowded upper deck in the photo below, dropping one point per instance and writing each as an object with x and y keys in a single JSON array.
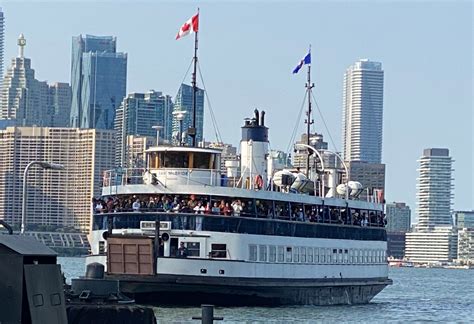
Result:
[{"x": 179, "y": 231}]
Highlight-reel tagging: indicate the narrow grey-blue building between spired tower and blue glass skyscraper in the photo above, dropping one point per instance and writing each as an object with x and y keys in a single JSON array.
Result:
[{"x": 59, "y": 101}]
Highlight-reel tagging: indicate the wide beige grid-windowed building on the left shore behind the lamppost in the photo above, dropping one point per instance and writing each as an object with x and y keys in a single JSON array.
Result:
[{"x": 56, "y": 199}]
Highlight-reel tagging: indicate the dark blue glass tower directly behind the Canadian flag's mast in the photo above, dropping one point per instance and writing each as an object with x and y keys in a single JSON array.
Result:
[{"x": 184, "y": 102}]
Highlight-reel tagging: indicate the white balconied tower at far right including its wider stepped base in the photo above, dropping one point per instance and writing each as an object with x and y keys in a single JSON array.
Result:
[{"x": 434, "y": 238}]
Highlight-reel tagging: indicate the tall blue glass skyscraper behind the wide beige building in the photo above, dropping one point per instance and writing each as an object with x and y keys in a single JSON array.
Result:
[{"x": 98, "y": 81}]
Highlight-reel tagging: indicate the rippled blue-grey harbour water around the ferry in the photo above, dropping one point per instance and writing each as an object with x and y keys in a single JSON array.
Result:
[{"x": 445, "y": 295}]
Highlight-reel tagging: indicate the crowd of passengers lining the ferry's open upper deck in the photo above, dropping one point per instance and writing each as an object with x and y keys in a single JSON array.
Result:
[{"x": 236, "y": 207}]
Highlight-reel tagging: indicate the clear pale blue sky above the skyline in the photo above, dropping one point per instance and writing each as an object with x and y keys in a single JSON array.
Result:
[{"x": 247, "y": 50}]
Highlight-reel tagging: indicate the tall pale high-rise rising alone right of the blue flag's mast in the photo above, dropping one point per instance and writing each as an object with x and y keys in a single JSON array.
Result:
[{"x": 363, "y": 112}]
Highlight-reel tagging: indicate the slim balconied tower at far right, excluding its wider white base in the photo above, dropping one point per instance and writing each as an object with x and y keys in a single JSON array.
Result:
[{"x": 434, "y": 189}]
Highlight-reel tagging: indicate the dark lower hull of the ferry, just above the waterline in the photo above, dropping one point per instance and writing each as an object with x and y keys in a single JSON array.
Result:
[{"x": 196, "y": 290}]
